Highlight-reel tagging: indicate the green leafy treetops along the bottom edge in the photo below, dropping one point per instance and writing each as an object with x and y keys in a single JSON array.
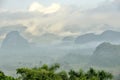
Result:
[{"x": 46, "y": 72}]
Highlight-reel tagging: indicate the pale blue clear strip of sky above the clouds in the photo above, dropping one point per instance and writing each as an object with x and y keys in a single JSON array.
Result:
[{"x": 20, "y": 4}]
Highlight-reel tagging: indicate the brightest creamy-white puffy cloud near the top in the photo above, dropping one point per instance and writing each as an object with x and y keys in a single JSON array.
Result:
[{"x": 35, "y": 6}]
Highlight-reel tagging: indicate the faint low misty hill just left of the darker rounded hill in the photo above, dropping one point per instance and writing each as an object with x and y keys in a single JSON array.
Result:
[{"x": 73, "y": 59}]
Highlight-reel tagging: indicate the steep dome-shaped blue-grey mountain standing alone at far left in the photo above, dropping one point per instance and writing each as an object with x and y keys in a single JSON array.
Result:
[{"x": 14, "y": 40}]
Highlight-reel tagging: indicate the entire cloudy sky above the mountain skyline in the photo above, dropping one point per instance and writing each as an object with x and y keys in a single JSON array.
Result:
[{"x": 34, "y": 18}]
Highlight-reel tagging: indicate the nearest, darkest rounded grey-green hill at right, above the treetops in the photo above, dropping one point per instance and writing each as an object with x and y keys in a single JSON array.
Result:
[{"x": 106, "y": 54}]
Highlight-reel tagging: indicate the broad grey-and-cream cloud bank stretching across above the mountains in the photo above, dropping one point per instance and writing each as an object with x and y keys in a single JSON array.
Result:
[{"x": 66, "y": 20}]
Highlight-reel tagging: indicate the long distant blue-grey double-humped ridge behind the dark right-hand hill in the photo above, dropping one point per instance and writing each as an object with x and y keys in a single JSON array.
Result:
[{"x": 106, "y": 36}]
